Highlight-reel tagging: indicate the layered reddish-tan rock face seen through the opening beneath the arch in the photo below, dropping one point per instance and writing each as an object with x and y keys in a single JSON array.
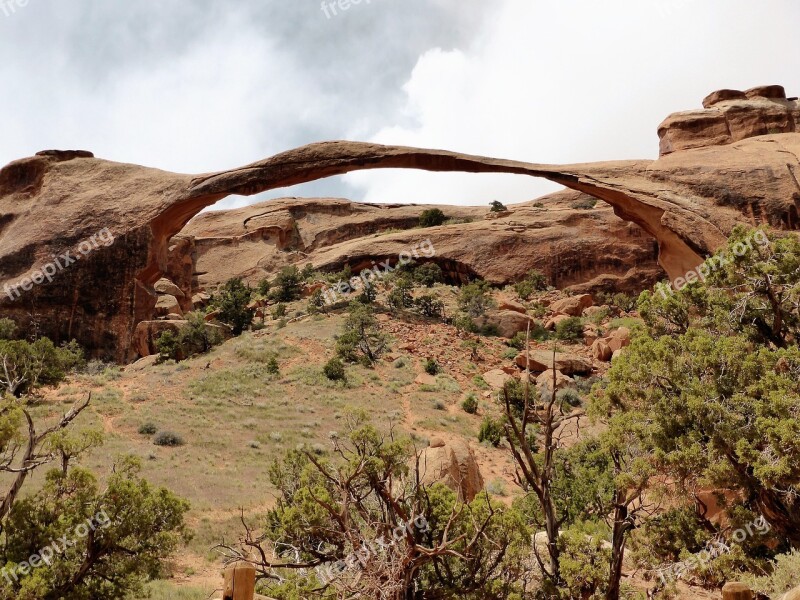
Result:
[{"x": 570, "y": 246}]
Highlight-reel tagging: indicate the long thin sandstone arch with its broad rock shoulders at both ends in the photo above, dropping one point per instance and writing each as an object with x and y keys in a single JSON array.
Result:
[{"x": 52, "y": 204}]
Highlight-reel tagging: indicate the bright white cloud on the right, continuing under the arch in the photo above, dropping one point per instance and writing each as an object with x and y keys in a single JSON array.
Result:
[{"x": 576, "y": 81}]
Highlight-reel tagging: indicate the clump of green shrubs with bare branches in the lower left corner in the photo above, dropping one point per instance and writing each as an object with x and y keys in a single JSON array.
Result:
[{"x": 114, "y": 536}]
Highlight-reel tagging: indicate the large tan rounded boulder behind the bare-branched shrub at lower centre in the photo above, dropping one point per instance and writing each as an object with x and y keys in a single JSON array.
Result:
[{"x": 454, "y": 465}]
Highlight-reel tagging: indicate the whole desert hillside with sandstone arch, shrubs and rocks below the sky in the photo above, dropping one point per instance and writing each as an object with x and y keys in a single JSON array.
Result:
[{"x": 592, "y": 394}]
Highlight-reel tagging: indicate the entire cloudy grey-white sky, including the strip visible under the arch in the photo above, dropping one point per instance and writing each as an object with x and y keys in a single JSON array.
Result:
[{"x": 196, "y": 85}]
